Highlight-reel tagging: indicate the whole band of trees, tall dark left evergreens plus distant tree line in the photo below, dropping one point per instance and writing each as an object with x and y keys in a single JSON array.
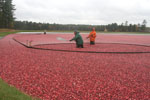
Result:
[{"x": 7, "y": 20}]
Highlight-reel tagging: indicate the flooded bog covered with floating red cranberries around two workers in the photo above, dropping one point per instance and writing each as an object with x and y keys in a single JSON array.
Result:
[{"x": 52, "y": 68}]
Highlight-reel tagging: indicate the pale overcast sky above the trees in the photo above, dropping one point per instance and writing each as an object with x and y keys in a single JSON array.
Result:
[{"x": 94, "y": 12}]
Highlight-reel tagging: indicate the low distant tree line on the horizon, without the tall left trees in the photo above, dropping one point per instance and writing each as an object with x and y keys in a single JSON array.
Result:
[{"x": 124, "y": 27}]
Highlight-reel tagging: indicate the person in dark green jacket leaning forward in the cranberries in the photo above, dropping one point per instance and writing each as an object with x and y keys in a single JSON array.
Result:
[{"x": 78, "y": 39}]
